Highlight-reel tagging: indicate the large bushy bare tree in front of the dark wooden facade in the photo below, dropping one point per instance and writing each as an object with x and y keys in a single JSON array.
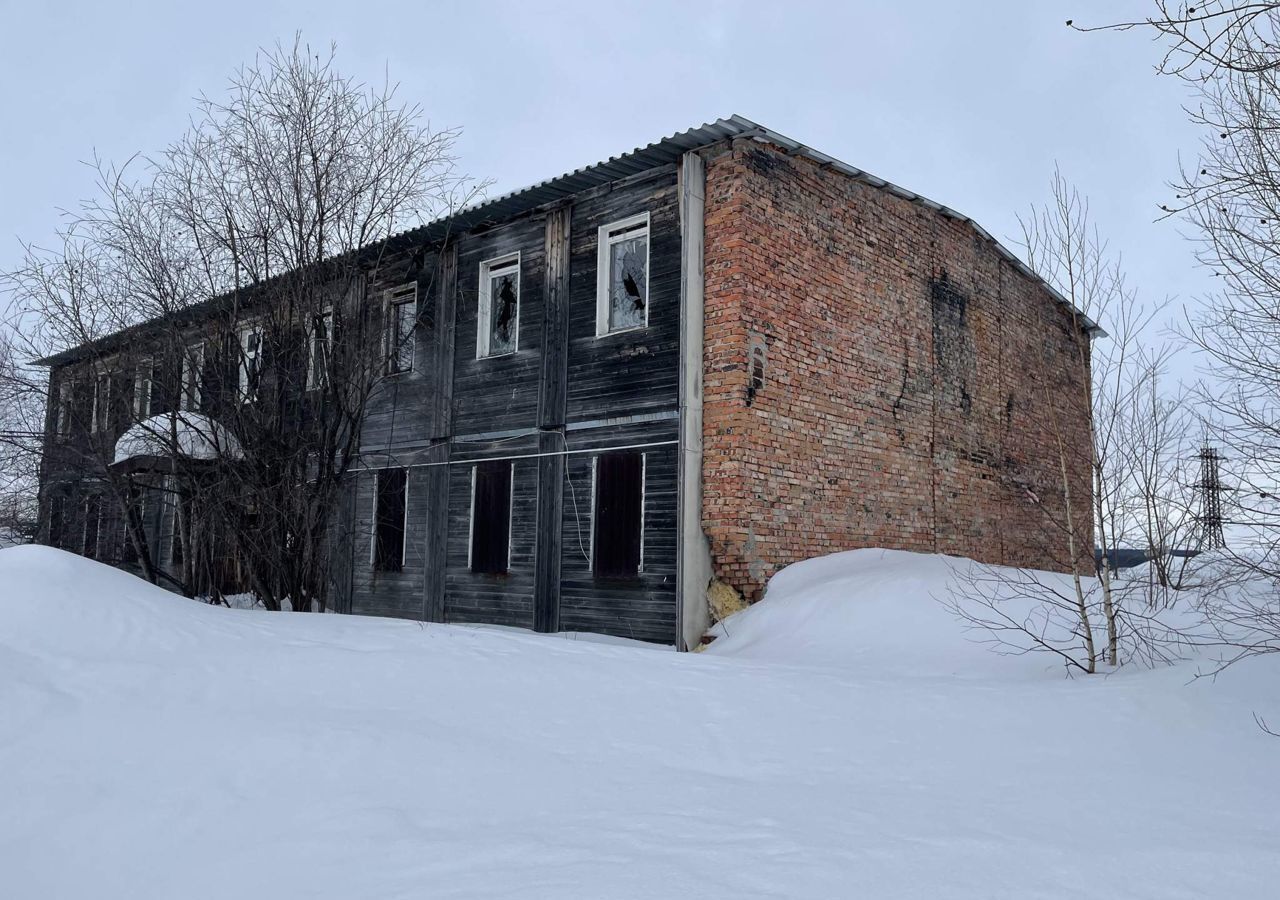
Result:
[{"x": 237, "y": 262}]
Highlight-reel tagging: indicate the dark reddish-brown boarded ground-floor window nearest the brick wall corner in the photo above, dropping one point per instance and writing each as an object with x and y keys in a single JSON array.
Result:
[{"x": 619, "y": 514}]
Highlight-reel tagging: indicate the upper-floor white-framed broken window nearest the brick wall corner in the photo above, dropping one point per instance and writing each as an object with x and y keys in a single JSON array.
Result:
[{"x": 623, "y": 276}]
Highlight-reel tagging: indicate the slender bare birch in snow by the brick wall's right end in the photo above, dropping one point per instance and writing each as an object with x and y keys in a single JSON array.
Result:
[{"x": 1086, "y": 619}]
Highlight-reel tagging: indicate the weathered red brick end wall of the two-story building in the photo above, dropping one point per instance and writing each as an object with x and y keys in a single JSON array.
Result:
[{"x": 912, "y": 383}]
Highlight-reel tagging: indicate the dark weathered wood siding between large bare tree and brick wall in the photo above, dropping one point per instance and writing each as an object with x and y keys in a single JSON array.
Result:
[{"x": 546, "y": 409}]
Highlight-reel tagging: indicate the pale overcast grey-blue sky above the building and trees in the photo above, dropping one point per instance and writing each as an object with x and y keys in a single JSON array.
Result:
[{"x": 968, "y": 104}]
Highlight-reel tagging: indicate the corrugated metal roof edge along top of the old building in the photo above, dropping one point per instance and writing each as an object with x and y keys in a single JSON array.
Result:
[{"x": 666, "y": 152}]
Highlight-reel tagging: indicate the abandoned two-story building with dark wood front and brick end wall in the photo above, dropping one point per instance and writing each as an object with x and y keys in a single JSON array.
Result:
[{"x": 705, "y": 359}]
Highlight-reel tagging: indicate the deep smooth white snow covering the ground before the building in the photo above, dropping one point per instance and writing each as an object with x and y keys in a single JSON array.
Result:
[{"x": 843, "y": 739}]
